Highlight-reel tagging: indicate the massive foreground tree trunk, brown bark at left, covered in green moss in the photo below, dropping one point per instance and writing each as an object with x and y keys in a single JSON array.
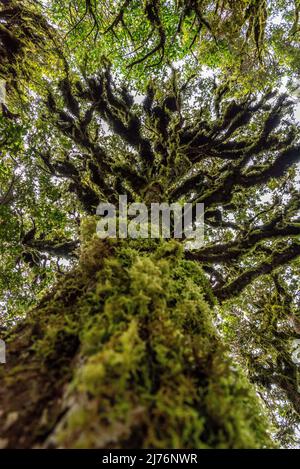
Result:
[{"x": 124, "y": 353}]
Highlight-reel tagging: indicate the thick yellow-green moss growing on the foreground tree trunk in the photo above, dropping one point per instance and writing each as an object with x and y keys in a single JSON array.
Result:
[{"x": 151, "y": 370}]
